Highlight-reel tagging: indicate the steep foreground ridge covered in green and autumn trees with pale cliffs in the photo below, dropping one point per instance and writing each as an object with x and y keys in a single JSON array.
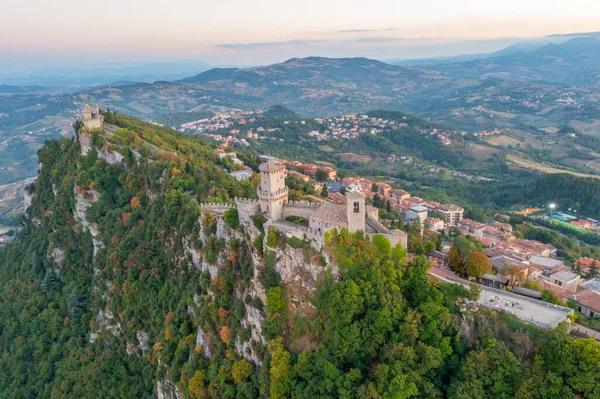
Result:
[{"x": 110, "y": 315}]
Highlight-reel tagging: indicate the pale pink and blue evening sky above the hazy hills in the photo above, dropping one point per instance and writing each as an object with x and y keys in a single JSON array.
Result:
[{"x": 255, "y": 32}]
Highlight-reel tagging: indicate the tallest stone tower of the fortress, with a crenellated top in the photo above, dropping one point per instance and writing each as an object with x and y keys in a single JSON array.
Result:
[{"x": 272, "y": 191}]
